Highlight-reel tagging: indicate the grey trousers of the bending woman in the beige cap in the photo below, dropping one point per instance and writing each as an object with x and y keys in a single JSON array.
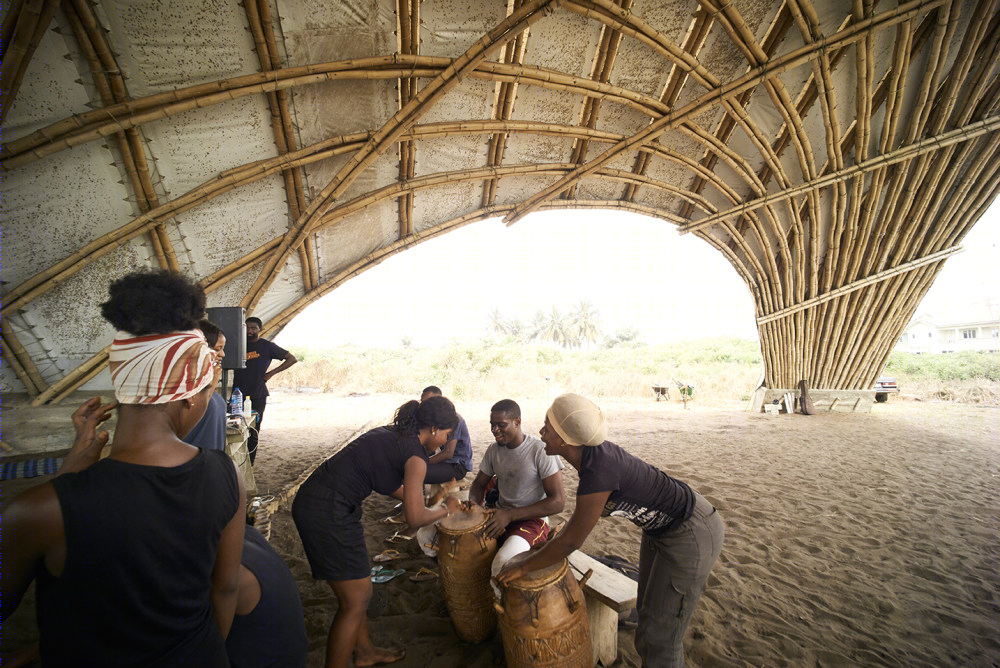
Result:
[{"x": 673, "y": 570}]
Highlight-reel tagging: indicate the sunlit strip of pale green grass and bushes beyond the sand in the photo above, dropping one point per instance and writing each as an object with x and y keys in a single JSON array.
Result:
[{"x": 722, "y": 371}]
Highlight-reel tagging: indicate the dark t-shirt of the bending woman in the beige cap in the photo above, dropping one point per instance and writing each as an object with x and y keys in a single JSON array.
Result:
[{"x": 639, "y": 492}]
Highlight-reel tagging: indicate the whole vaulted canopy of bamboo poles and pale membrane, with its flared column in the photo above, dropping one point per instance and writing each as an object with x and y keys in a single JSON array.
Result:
[{"x": 836, "y": 153}]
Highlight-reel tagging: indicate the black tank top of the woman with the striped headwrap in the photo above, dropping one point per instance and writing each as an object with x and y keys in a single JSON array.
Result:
[{"x": 141, "y": 543}]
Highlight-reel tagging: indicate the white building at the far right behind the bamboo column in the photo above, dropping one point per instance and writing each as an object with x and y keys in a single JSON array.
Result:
[{"x": 976, "y": 329}]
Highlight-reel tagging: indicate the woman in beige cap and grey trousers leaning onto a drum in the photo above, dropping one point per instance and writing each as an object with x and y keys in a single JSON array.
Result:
[{"x": 682, "y": 533}]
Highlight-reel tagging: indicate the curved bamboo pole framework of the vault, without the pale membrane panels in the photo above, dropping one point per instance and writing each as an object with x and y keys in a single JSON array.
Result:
[{"x": 884, "y": 176}]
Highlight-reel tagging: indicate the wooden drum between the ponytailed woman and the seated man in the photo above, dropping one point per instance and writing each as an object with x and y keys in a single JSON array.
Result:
[{"x": 465, "y": 556}]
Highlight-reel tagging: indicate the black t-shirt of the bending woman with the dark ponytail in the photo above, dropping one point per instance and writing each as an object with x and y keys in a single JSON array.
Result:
[{"x": 375, "y": 461}]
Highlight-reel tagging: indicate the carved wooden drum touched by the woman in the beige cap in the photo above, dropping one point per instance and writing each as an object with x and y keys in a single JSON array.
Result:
[{"x": 543, "y": 620}]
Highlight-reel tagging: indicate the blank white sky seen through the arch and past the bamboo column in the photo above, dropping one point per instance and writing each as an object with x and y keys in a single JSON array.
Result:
[{"x": 636, "y": 271}]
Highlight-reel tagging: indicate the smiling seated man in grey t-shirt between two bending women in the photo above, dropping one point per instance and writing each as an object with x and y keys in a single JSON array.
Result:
[{"x": 529, "y": 482}]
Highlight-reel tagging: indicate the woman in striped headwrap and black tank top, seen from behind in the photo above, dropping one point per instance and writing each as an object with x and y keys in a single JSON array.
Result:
[{"x": 136, "y": 556}]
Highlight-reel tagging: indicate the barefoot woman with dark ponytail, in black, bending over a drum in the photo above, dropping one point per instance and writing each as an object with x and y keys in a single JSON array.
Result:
[{"x": 327, "y": 513}]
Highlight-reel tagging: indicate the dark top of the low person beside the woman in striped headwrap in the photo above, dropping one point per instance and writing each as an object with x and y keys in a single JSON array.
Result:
[{"x": 273, "y": 635}]
